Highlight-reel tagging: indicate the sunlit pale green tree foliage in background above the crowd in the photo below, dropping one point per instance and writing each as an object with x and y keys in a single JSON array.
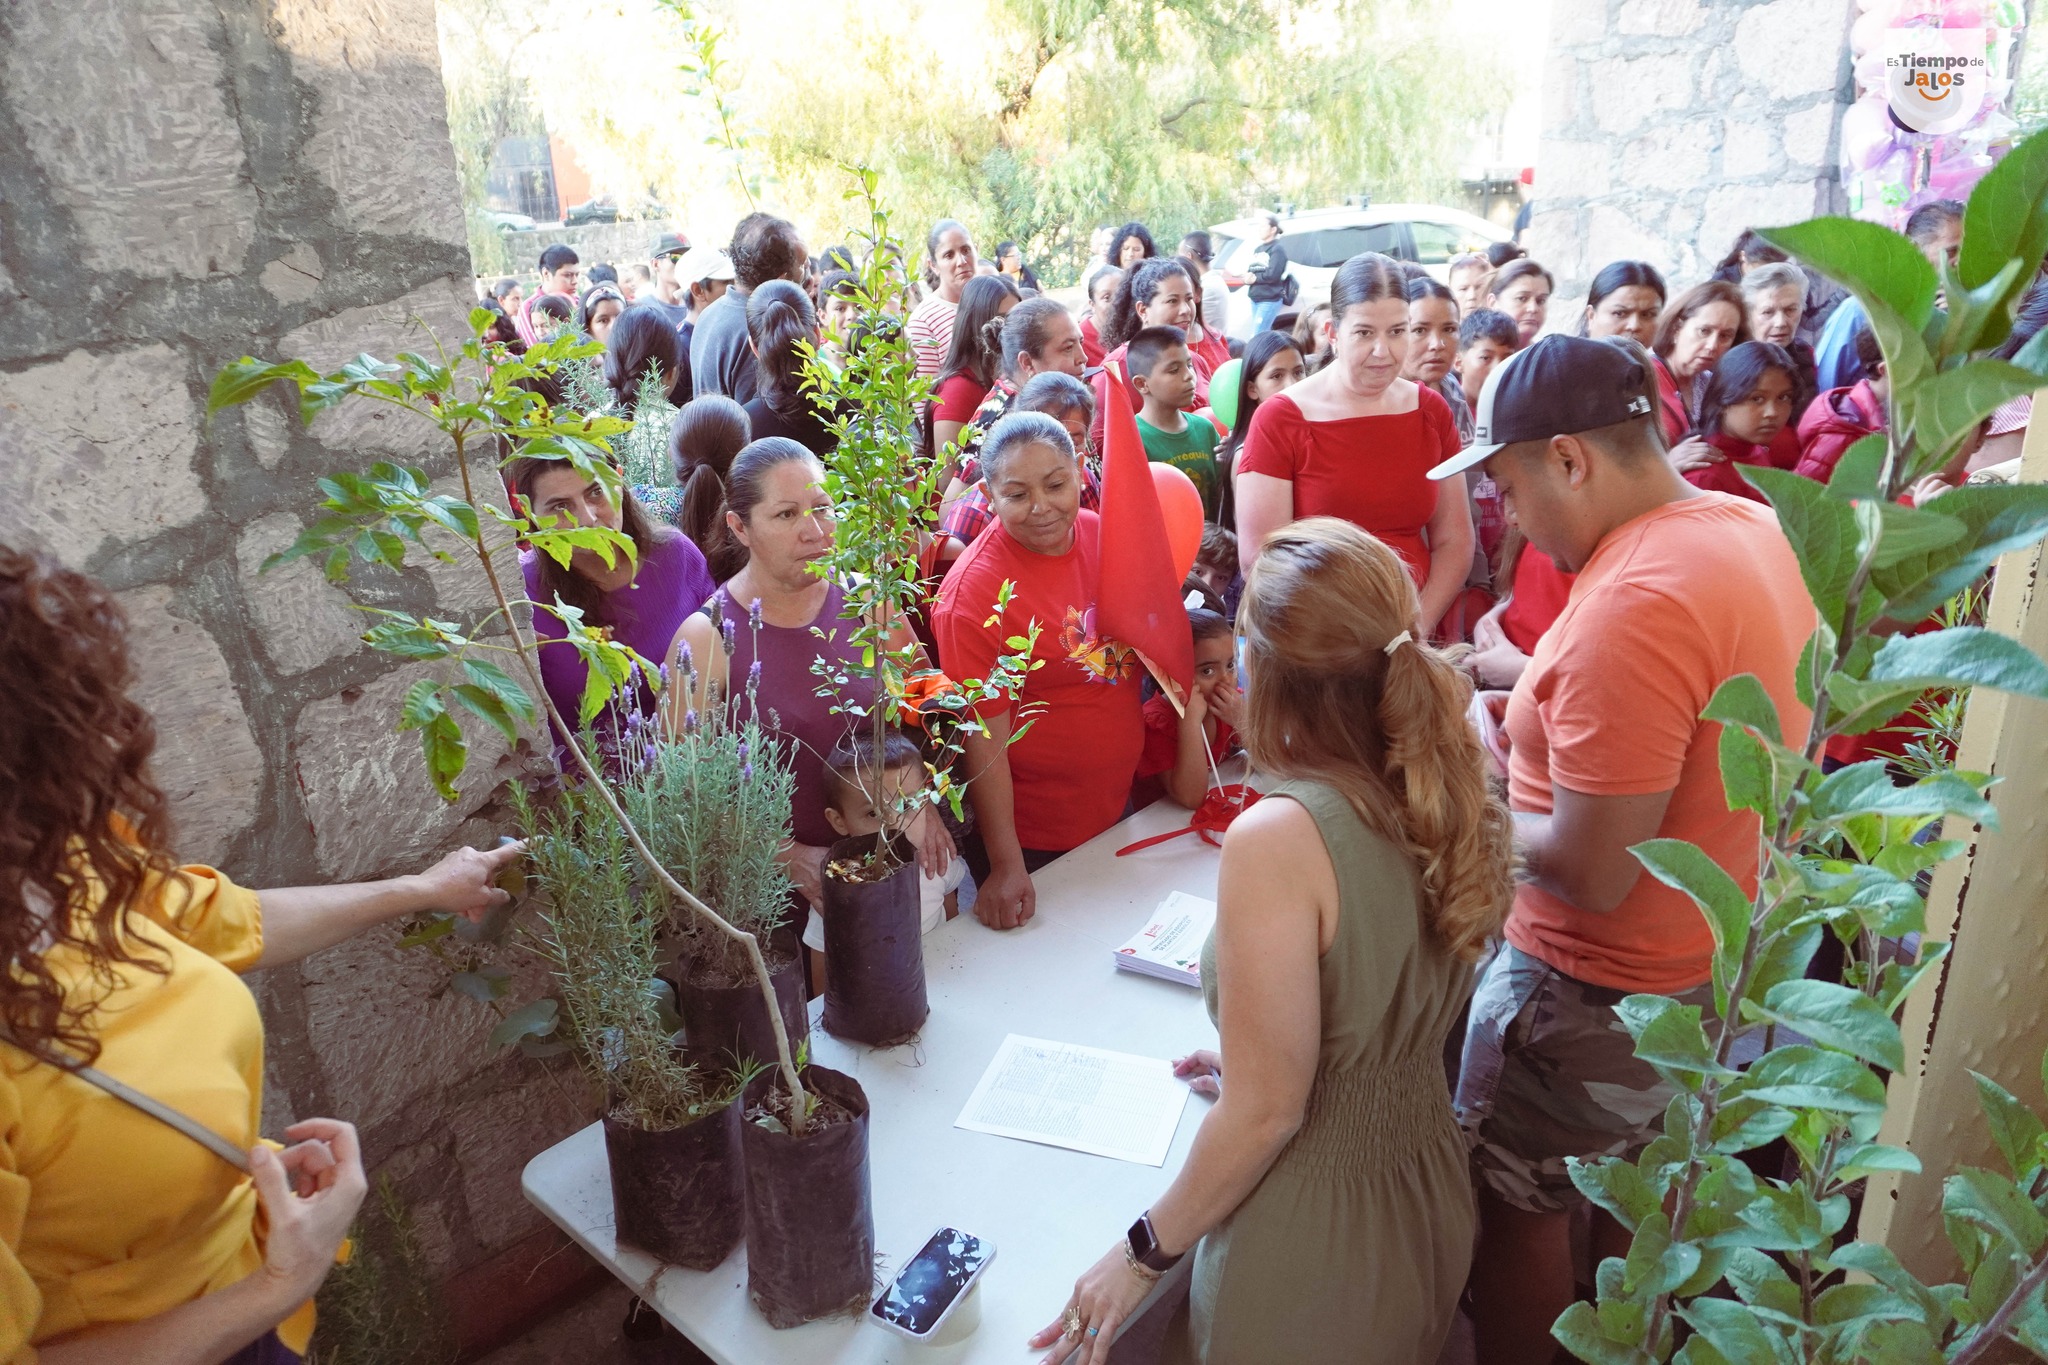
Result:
[{"x": 1029, "y": 120}]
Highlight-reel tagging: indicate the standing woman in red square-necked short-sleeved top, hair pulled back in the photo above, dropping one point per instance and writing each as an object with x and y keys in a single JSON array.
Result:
[{"x": 1357, "y": 441}]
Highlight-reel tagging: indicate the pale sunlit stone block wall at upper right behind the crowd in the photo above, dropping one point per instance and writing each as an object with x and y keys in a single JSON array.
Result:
[{"x": 1672, "y": 126}]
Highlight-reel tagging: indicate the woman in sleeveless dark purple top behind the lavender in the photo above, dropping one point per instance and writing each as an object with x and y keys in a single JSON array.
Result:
[{"x": 781, "y": 617}]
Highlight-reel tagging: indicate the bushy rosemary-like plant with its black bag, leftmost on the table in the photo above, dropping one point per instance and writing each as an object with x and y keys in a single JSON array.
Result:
[{"x": 671, "y": 1118}]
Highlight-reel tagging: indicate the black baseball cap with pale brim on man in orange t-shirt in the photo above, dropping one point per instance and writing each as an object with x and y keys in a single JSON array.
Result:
[{"x": 1558, "y": 388}]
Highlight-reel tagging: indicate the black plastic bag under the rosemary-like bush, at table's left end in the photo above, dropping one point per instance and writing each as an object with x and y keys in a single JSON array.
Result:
[{"x": 681, "y": 1194}]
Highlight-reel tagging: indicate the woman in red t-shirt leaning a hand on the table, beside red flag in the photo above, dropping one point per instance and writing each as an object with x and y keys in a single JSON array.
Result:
[{"x": 1068, "y": 779}]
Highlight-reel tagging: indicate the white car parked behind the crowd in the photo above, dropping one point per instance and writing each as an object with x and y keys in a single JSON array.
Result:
[{"x": 1320, "y": 240}]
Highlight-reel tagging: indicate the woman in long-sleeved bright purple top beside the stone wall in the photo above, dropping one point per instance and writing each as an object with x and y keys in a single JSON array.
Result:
[{"x": 644, "y": 603}]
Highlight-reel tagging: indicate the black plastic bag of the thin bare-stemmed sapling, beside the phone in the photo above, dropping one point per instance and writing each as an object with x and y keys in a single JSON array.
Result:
[{"x": 810, "y": 1208}]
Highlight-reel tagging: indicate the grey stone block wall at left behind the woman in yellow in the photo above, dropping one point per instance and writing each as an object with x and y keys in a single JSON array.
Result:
[{"x": 183, "y": 183}]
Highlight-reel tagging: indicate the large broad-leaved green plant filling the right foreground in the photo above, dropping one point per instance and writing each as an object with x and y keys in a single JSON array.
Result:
[{"x": 1758, "y": 1270}]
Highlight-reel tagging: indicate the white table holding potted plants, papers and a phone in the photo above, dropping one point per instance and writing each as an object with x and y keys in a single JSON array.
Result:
[{"x": 1050, "y": 1213}]
